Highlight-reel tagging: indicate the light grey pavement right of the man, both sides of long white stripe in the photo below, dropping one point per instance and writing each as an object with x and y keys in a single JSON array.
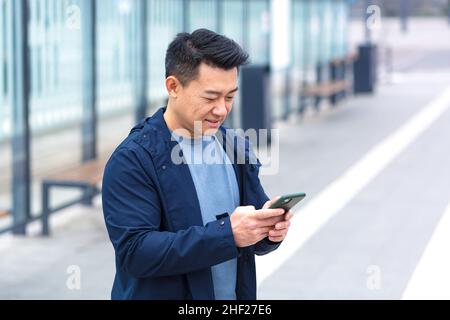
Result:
[{"x": 381, "y": 231}]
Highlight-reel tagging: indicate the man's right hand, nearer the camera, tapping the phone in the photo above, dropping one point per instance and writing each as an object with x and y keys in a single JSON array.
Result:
[{"x": 251, "y": 226}]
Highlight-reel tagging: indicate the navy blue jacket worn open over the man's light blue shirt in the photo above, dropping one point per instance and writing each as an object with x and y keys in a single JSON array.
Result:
[{"x": 152, "y": 213}]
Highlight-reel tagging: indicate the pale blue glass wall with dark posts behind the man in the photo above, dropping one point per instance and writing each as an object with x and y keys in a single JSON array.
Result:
[{"x": 55, "y": 51}]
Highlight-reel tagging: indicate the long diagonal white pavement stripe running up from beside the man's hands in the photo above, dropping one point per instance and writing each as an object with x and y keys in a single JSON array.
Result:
[{"x": 336, "y": 195}]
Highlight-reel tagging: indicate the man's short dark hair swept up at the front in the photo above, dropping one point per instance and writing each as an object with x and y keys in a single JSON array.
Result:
[{"x": 187, "y": 51}]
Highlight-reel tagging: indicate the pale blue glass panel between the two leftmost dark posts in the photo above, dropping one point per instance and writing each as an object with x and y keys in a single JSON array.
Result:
[{"x": 54, "y": 64}]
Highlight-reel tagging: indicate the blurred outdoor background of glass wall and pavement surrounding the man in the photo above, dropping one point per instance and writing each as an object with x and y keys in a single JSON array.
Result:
[{"x": 357, "y": 91}]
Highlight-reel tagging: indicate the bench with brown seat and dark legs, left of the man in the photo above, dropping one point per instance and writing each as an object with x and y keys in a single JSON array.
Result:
[{"x": 86, "y": 176}]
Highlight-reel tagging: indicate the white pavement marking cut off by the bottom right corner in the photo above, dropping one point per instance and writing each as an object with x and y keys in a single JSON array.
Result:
[{"x": 431, "y": 278}]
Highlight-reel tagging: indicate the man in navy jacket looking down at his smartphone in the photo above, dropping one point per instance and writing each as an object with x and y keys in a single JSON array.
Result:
[{"x": 189, "y": 230}]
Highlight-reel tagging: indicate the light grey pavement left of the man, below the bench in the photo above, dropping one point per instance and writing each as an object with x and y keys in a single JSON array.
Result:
[{"x": 37, "y": 268}]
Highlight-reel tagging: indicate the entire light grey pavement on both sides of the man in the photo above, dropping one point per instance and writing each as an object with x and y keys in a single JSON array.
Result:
[{"x": 368, "y": 249}]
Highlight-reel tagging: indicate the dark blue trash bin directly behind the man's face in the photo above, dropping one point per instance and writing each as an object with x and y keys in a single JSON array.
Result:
[{"x": 255, "y": 98}]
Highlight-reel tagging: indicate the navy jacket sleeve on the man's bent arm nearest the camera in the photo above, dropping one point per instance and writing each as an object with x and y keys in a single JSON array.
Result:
[{"x": 133, "y": 217}]
